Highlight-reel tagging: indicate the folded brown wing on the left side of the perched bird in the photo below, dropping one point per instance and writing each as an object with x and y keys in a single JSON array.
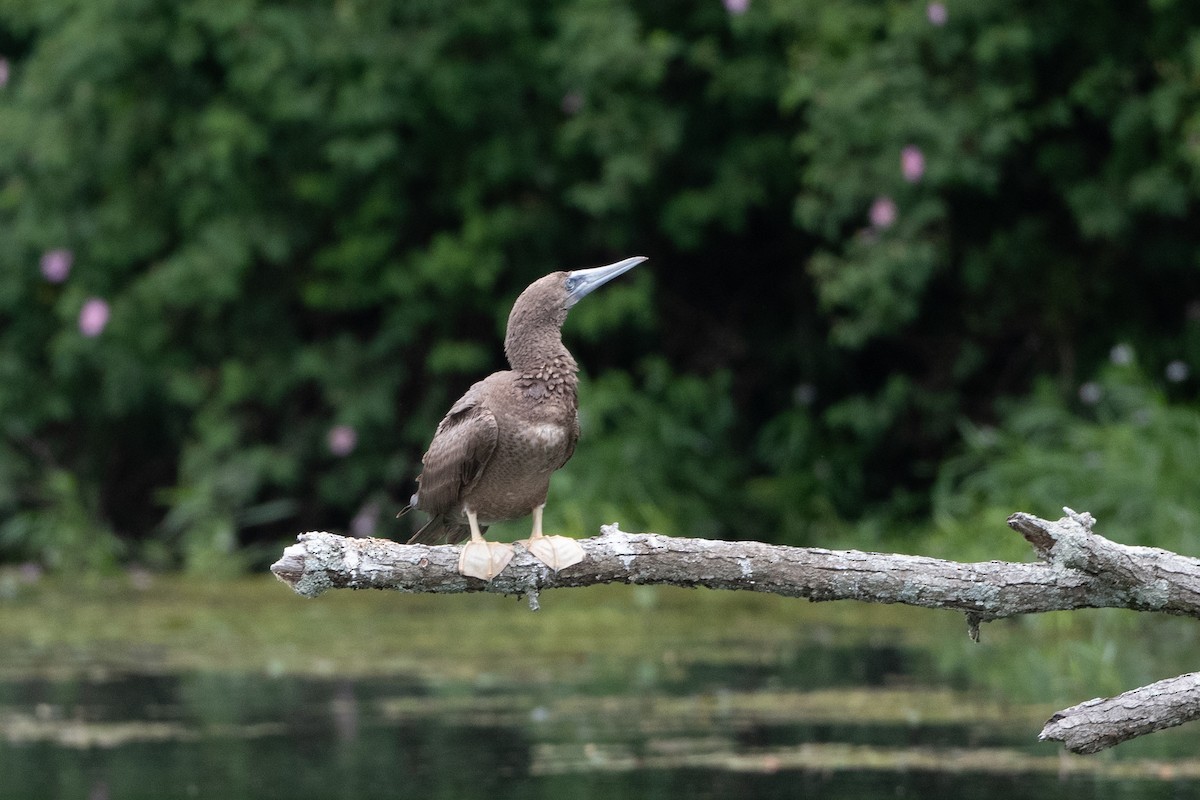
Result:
[{"x": 461, "y": 448}]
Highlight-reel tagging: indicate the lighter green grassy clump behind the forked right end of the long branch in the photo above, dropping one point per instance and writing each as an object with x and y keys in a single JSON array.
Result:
[{"x": 1123, "y": 454}]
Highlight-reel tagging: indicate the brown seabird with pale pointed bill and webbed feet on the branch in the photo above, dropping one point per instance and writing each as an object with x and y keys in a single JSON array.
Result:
[{"x": 495, "y": 450}]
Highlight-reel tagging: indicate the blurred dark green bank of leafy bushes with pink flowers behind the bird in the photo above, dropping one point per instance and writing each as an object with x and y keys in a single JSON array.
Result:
[{"x": 309, "y": 221}]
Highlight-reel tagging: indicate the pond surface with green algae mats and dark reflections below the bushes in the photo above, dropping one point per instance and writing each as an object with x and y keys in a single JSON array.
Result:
[{"x": 171, "y": 689}]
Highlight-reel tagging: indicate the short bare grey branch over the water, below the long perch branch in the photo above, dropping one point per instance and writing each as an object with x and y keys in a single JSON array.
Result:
[{"x": 1107, "y": 721}]
